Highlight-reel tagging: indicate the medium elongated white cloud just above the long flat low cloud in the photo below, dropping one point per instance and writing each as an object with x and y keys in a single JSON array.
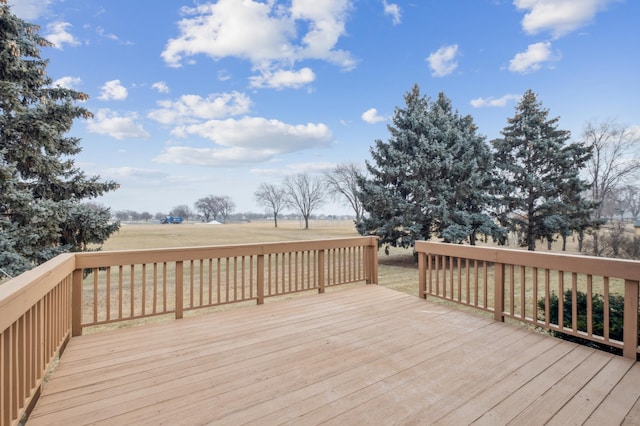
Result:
[{"x": 193, "y": 108}]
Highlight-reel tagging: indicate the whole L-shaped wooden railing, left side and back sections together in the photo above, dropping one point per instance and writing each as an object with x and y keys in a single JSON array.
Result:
[{"x": 42, "y": 309}]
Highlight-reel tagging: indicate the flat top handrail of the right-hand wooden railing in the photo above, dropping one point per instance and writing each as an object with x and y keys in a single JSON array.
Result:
[{"x": 624, "y": 269}]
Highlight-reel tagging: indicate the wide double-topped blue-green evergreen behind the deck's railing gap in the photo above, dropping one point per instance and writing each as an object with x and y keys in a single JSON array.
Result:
[{"x": 432, "y": 176}]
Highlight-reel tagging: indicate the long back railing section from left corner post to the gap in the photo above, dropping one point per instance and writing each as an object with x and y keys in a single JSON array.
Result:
[{"x": 129, "y": 285}]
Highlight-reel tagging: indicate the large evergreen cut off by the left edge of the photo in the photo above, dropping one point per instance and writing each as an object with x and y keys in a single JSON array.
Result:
[{"x": 41, "y": 209}]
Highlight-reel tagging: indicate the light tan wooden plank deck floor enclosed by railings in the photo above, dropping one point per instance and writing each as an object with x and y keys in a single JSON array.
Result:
[{"x": 366, "y": 355}]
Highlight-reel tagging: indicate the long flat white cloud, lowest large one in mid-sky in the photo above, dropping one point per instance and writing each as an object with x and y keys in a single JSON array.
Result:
[{"x": 245, "y": 141}]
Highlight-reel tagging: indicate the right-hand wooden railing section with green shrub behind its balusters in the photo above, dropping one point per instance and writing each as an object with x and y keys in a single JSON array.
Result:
[{"x": 560, "y": 293}]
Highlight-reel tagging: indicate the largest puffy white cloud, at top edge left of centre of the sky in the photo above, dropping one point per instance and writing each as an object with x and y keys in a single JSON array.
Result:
[{"x": 269, "y": 35}]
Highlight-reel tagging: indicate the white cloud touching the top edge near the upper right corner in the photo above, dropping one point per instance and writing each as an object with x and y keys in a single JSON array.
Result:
[{"x": 559, "y": 17}]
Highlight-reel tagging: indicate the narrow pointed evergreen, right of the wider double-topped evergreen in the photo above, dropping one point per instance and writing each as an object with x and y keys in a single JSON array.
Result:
[{"x": 539, "y": 171}]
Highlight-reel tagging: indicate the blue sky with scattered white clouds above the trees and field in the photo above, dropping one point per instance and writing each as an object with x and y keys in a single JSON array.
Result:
[{"x": 197, "y": 98}]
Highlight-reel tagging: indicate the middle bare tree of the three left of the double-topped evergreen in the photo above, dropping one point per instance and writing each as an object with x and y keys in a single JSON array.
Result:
[{"x": 305, "y": 193}]
